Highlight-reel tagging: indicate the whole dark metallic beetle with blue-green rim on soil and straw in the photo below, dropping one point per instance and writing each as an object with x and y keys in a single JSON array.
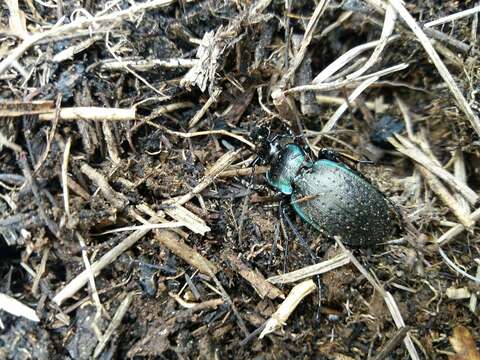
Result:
[{"x": 328, "y": 194}]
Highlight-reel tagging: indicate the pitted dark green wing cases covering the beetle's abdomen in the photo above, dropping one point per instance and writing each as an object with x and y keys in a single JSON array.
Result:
[{"x": 339, "y": 202}]
